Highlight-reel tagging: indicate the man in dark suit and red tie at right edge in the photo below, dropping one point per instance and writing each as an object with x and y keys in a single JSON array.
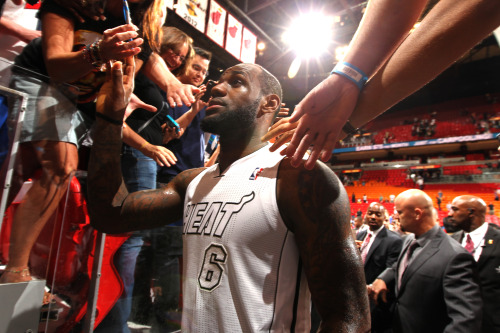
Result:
[{"x": 483, "y": 241}]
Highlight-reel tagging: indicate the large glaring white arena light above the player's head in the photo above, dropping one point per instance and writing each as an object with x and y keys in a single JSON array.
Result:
[{"x": 310, "y": 35}]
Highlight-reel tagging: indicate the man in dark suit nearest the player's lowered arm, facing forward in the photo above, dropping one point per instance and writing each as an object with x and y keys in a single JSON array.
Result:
[{"x": 380, "y": 249}]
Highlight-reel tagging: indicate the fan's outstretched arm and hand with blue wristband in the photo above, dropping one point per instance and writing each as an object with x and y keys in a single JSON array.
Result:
[{"x": 327, "y": 107}]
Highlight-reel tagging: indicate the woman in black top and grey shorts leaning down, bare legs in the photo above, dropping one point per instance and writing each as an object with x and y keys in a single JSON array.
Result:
[{"x": 70, "y": 51}]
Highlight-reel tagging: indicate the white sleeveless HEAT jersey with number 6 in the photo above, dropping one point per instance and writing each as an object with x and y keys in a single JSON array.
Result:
[{"x": 242, "y": 271}]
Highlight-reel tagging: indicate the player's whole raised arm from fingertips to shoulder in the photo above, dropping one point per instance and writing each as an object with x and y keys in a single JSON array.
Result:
[{"x": 112, "y": 209}]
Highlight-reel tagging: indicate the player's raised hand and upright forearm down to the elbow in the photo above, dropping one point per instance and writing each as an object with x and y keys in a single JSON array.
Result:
[{"x": 106, "y": 188}]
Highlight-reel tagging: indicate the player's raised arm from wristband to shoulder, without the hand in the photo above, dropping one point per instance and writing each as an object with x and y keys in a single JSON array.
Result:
[{"x": 112, "y": 208}]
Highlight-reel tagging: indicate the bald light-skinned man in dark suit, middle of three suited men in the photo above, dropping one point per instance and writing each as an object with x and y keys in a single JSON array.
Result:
[{"x": 433, "y": 279}]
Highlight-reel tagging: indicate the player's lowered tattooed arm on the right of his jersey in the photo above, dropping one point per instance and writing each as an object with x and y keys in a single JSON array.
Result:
[{"x": 323, "y": 234}]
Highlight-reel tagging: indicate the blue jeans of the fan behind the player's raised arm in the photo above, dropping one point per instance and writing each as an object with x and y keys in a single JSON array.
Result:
[{"x": 139, "y": 173}]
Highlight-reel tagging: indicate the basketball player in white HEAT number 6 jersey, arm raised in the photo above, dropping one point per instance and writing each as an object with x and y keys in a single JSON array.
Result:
[{"x": 260, "y": 237}]
